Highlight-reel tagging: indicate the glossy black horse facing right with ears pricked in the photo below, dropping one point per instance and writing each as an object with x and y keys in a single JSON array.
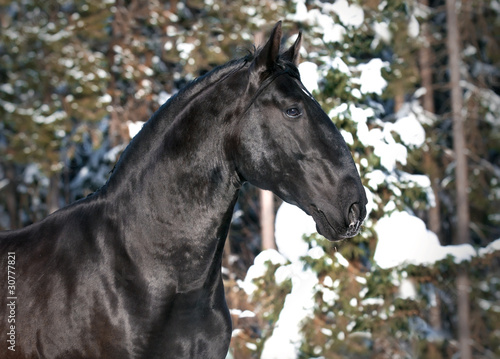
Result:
[{"x": 134, "y": 270}]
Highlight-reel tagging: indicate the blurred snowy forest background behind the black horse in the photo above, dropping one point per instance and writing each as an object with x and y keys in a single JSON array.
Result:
[{"x": 78, "y": 79}]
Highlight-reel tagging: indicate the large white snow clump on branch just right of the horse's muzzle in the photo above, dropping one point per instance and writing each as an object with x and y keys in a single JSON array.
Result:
[{"x": 404, "y": 239}]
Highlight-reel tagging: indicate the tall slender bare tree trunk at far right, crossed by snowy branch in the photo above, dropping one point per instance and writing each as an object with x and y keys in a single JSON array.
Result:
[{"x": 459, "y": 147}]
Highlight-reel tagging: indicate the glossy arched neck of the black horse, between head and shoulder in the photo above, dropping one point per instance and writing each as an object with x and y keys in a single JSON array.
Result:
[{"x": 176, "y": 186}]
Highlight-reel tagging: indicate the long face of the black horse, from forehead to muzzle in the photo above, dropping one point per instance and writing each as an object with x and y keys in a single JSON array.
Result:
[{"x": 287, "y": 144}]
